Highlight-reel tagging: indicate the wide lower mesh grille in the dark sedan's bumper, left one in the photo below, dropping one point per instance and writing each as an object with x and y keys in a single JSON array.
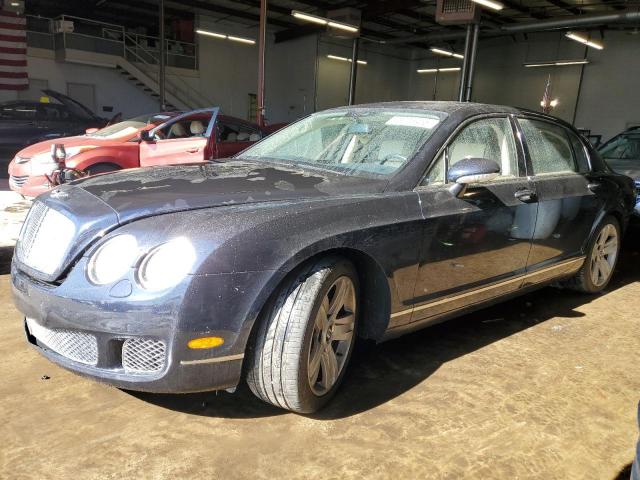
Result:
[{"x": 74, "y": 345}]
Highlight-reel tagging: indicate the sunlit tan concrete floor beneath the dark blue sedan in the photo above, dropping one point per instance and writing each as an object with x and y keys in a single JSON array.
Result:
[{"x": 544, "y": 386}]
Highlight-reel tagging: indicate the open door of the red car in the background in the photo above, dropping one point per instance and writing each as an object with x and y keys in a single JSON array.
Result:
[{"x": 183, "y": 139}]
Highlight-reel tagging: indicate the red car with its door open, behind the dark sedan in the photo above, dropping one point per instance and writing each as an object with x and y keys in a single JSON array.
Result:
[{"x": 159, "y": 139}]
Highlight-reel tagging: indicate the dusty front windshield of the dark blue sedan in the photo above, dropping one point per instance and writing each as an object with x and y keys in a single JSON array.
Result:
[{"x": 359, "y": 142}]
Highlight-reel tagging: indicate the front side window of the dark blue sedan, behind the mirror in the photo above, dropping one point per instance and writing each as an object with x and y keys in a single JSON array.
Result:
[{"x": 490, "y": 138}]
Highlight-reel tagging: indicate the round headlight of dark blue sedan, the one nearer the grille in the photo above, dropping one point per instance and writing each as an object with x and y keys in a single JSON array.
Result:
[{"x": 113, "y": 259}]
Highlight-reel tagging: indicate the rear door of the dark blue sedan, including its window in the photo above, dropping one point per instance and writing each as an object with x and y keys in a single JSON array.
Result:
[{"x": 567, "y": 192}]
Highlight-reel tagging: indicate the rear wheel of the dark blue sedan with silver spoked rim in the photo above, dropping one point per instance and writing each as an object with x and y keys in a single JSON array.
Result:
[{"x": 602, "y": 255}]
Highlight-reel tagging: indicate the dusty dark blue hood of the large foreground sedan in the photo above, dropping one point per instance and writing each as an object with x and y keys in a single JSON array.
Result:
[{"x": 144, "y": 192}]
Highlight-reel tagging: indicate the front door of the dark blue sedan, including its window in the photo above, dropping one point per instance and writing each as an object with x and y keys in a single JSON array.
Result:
[{"x": 475, "y": 245}]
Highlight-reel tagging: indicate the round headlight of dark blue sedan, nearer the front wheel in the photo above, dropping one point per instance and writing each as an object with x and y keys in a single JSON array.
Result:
[{"x": 167, "y": 264}]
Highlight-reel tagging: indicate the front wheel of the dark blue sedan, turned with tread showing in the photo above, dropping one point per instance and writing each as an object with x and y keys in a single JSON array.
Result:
[{"x": 305, "y": 337}]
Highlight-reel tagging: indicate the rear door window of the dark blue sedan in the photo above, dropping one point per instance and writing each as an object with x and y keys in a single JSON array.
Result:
[{"x": 549, "y": 147}]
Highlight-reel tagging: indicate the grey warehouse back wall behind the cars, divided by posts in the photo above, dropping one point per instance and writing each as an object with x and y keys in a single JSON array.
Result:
[{"x": 300, "y": 77}]
